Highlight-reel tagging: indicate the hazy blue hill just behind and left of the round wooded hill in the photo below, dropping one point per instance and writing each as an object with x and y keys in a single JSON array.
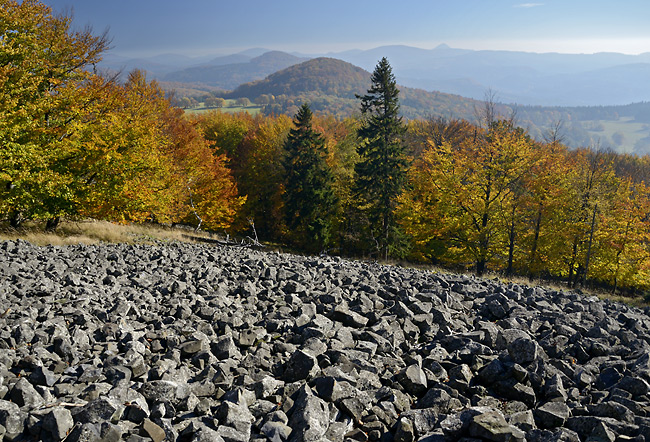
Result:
[{"x": 229, "y": 76}]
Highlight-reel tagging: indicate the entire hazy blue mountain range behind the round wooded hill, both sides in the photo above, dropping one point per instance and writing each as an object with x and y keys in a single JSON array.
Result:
[{"x": 524, "y": 78}]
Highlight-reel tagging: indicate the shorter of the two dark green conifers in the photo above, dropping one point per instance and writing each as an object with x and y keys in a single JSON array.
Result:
[{"x": 309, "y": 199}]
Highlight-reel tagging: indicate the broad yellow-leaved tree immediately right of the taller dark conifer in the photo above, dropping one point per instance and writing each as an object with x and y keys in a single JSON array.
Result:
[{"x": 462, "y": 197}]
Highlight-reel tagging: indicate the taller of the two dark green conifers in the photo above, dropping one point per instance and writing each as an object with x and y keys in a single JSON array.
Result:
[{"x": 381, "y": 171}]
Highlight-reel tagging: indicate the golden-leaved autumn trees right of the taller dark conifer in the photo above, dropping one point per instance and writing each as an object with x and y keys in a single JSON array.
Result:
[{"x": 503, "y": 202}]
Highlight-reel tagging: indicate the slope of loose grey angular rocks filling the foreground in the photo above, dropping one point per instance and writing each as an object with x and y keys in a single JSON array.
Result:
[{"x": 199, "y": 343}]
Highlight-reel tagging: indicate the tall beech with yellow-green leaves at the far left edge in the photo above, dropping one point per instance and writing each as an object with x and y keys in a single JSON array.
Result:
[{"x": 44, "y": 70}]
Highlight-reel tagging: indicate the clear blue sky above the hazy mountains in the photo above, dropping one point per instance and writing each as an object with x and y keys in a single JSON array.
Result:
[{"x": 219, "y": 27}]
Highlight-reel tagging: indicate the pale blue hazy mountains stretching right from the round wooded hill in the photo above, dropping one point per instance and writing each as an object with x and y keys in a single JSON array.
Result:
[{"x": 548, "y": 79}]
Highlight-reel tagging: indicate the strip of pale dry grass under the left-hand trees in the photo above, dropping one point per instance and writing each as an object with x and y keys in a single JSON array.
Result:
[{"x": 93, "y": 232}]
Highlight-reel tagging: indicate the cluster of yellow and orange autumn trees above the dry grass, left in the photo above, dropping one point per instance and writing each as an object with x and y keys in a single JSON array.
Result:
[{"x": 79, "y": 144}]
